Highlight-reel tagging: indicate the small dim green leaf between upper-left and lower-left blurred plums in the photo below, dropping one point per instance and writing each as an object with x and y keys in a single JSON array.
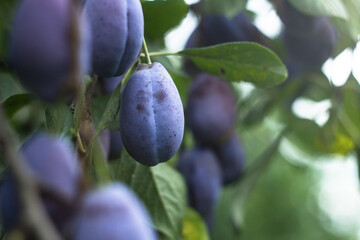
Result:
[{"x": 59, "y": 119}]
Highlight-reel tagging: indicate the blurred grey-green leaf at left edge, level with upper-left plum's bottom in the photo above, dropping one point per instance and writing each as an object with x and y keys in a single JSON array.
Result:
[{"x": 9, "y": 86}]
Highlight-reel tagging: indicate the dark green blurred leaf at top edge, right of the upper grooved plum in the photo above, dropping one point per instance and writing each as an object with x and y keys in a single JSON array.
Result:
[{"x": 162, "y": 15}]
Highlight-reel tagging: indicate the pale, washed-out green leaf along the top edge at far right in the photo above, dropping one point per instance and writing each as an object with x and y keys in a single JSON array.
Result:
[{"x": 330, "y": 8}]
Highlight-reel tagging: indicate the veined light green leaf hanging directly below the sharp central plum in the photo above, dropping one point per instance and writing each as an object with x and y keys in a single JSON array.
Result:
[{"x": 161, "y": 188}]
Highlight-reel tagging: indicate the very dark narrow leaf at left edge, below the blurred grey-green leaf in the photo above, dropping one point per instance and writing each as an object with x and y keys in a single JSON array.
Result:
[{"x": 15, "y": 102}]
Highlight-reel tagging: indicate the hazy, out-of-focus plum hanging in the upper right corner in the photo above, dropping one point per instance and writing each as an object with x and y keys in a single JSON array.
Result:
[{"x": 309, "y": 39}]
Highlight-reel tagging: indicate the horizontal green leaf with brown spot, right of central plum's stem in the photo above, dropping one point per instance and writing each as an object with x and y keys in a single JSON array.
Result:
[{"x": 239, "y": 61}]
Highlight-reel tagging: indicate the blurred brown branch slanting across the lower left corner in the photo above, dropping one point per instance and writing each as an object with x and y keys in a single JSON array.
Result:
[{"x": 34, "y": 212}]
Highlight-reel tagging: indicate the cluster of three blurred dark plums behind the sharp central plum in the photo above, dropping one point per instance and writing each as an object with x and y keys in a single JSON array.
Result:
[{"x": 218, "y": 157}]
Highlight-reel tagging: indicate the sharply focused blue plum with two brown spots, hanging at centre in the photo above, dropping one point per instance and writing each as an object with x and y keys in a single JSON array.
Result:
[{"x": 151, "y": 115}]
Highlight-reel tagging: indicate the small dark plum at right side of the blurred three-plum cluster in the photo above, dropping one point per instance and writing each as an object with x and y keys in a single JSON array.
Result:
[{"x": 231, "y": 159}]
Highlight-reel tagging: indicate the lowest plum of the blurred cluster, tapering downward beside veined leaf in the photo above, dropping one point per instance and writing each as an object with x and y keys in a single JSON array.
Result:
[{"x": 202, "y": 173}]
